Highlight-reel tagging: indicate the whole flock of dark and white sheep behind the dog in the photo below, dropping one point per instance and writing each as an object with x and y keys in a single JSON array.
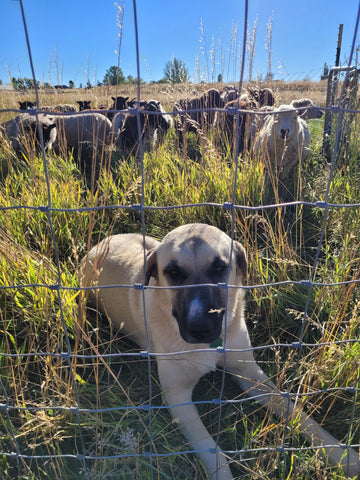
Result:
[{"x": 250, "y": 121}]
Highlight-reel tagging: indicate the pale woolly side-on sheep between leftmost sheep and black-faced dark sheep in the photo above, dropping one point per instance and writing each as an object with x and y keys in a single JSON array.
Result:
[{"x": 84, "y": 129}]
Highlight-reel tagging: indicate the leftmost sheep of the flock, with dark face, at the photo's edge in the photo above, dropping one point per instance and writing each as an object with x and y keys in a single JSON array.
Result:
[{"x": 22, "y": 132}]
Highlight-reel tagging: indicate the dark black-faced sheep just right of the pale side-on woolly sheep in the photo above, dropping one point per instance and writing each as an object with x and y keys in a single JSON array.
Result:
[{"x": 153, "y": 126}]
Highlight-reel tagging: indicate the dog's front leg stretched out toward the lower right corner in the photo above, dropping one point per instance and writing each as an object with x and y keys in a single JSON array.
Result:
[{"x": 257, "y": 384}]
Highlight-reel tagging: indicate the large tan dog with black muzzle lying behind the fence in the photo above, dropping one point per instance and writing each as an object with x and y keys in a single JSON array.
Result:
[{"x": 181, "y": 283}]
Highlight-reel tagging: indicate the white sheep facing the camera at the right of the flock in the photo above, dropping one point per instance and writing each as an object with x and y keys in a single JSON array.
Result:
[{"x": 283, "y": 140}]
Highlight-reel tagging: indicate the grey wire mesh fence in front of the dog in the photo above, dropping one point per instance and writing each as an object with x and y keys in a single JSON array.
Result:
[{"x": 79, "y": 450}]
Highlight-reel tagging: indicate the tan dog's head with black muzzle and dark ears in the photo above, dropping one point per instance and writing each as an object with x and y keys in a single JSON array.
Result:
[{"x": 196, "y": 258}]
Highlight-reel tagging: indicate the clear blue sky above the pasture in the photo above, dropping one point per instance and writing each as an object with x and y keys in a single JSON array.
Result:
[{"x": 77, "y": 39}]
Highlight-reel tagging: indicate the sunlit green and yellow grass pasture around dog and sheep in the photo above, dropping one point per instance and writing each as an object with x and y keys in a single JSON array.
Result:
[{"x": 72, "y": 405}]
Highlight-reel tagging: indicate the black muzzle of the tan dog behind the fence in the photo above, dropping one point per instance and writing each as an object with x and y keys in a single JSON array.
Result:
[{"x": 199, "y": 312}]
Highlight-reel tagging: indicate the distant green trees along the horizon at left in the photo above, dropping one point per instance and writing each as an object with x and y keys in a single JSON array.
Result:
[{"x": 174, "y": 72}]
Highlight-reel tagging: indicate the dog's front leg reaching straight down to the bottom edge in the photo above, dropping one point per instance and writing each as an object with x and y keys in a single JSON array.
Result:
[{"x": 178, "y": 379}]
